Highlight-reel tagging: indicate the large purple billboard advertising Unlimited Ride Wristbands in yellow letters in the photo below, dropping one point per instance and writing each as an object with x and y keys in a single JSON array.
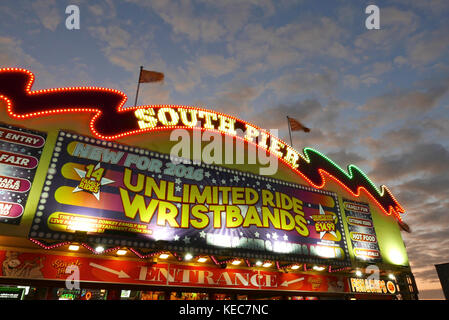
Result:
[{"x": 127, "y": 196}]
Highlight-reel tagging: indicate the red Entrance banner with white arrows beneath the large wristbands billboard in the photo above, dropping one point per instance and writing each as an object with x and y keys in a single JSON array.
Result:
[{"x": 27, "y": 265}]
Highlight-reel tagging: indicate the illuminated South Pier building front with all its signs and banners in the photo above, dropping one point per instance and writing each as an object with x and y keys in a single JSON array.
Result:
[{"x": 173, "y": 202}]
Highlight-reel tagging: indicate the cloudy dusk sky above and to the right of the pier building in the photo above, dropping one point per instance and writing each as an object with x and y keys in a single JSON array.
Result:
[{"x": 374, "y": 98}]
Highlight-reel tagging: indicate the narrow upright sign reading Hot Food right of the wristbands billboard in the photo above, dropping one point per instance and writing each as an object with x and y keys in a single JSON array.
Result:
[{"x": 361, "y": 231}]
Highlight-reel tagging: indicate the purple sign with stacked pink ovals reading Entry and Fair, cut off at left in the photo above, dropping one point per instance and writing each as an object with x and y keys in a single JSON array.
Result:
[{"x": 20, "y": 151}]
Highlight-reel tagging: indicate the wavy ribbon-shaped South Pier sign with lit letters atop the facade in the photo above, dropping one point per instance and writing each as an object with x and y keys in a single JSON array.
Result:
[{"x": 106, "y": 108}]
